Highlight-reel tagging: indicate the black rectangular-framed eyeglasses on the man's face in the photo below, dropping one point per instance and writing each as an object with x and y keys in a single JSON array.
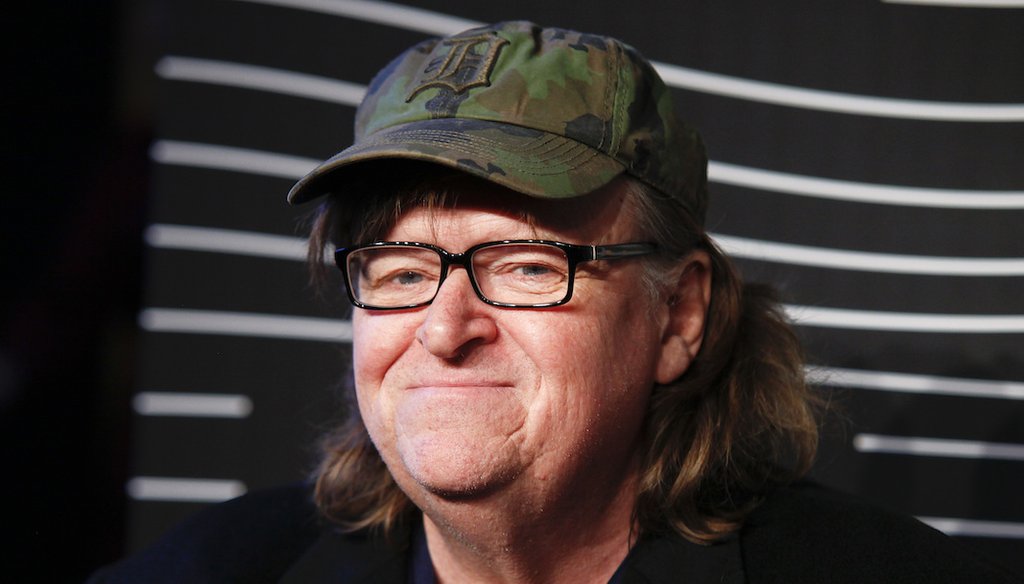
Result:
[{"x": 518, "y": 274}]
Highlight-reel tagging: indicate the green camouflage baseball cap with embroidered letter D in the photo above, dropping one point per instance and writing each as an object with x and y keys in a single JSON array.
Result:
[{"x": 549, "y": 113}]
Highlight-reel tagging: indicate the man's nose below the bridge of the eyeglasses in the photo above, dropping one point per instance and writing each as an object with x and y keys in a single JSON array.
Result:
[{"x": 457, "y": 320}]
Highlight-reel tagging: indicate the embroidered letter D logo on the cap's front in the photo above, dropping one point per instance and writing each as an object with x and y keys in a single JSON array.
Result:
[{"x": 465, "y": 65}]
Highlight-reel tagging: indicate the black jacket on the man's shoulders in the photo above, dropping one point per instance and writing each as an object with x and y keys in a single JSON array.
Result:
[{"x": 801, "y": 534}]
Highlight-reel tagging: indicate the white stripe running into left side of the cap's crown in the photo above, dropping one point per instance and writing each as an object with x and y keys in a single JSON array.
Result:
[{"x": 261, "y": 78}]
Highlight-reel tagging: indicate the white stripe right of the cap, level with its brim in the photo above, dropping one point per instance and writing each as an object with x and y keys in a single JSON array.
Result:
[{"x": 862, "y": 192}]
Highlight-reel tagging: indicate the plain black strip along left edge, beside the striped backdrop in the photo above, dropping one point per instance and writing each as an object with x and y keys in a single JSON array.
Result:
[{"x": 78, "y": 117}]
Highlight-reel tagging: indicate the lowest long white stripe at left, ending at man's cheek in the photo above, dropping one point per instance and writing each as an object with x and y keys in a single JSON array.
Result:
[{"x": 245, "y": 324}]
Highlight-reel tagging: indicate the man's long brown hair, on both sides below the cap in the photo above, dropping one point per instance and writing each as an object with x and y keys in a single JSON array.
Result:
[{"x": 740, "y": 422}]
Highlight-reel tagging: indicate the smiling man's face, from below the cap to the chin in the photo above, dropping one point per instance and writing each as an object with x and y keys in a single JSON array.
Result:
[{"x": 464, "y": 400}]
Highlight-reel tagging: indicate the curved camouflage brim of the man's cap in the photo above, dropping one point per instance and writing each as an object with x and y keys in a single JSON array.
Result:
[{"x": 528, "y": 161}]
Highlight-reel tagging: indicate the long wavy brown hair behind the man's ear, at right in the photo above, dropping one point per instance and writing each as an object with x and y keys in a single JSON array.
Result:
[{"x": 742, "y": 420}]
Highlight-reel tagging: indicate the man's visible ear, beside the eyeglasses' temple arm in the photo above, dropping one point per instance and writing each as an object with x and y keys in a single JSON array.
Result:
[{"x": 688, "y": 305}]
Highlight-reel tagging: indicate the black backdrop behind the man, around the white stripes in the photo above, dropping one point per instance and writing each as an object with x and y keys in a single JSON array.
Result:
[{"x": 84, "y": 105}]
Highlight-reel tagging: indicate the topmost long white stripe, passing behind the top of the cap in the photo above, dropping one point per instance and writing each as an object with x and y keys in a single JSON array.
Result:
[{"x": 692, "y": 79}]
